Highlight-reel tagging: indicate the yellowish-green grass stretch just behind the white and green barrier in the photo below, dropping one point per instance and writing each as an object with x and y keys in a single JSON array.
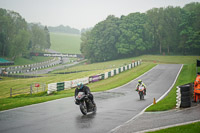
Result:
[{"x": 53, "y": 78}]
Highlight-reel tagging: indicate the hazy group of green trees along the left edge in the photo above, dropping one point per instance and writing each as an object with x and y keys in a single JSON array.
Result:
[{"x": 18, "y": 38}]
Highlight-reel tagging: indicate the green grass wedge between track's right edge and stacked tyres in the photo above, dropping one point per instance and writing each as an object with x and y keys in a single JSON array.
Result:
[{"x": 187, "y": 75}]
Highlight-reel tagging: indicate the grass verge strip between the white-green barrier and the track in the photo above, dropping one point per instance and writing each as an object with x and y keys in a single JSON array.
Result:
[{"x": 118, "y": 80}]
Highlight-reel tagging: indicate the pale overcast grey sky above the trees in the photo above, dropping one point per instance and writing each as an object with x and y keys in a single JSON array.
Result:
[{"x": 81, "y": 13}]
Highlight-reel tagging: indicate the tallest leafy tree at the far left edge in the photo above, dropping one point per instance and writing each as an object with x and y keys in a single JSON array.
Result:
[{"x": 11, "y": 28}]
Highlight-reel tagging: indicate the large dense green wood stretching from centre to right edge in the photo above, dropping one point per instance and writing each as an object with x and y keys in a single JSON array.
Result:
[{"x": 171, "y": 30}]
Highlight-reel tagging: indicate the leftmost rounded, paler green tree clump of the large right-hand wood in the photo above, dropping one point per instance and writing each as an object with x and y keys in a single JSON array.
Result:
[{"x": 99, "y": 44}]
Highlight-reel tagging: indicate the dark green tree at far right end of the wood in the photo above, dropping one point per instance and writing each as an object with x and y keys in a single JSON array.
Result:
[{"x": 190, "y": 29}]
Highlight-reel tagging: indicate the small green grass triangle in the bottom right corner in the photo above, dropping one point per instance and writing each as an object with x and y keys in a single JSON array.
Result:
[{"x": 189, "y": 128}]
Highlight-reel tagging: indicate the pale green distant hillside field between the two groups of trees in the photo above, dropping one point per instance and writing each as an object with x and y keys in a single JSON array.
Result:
[{"x": 65, "y": 43}]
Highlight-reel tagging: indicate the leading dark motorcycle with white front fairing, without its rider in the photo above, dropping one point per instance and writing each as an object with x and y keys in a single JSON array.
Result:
[{"x": 85, "y": 103}]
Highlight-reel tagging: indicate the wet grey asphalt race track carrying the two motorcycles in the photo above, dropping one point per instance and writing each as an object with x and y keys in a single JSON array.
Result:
[{"x": 114, "y": 108}]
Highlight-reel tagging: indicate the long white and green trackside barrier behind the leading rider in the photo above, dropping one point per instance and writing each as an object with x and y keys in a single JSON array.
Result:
[{"x": 70, "y": 84}]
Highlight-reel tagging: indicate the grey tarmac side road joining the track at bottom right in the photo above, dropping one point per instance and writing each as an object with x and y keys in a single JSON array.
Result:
[{"x": 152, "y": 121}]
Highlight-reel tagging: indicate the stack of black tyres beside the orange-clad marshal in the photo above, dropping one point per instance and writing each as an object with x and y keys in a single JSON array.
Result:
[{"x": 185, "y": 96}]
